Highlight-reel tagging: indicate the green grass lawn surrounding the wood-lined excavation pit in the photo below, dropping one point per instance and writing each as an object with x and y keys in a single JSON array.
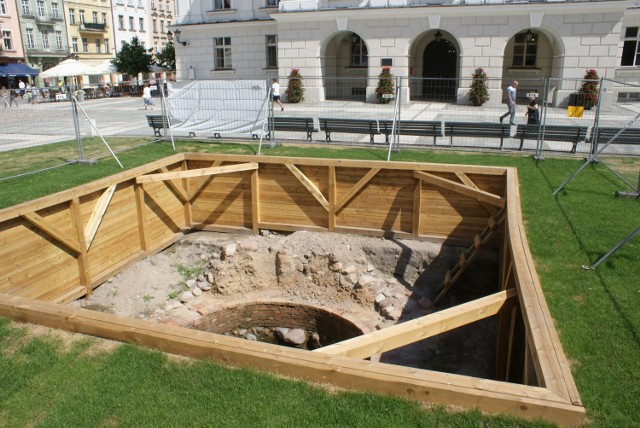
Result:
[{"x": 45, "y": 382}]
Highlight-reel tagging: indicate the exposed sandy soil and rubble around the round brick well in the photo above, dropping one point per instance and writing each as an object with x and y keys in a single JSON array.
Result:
[{"x": 380, "y": 282}]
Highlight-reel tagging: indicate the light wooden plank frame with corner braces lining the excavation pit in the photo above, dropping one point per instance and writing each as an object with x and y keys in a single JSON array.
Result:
[{"x": 56, "y": 249}]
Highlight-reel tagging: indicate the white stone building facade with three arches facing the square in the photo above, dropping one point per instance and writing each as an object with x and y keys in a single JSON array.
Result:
[{"x": 349, "y": 40}]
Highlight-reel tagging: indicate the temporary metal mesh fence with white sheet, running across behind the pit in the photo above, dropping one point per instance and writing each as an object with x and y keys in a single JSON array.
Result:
[{"x": 94, "y": 121}]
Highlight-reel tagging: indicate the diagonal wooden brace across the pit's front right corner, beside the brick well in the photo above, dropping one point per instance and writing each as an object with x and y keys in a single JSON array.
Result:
[{"x": 420, "y": 328}]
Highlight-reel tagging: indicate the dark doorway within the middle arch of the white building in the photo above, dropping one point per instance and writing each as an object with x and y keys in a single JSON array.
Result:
[{"x": 440, "y": 60}]
